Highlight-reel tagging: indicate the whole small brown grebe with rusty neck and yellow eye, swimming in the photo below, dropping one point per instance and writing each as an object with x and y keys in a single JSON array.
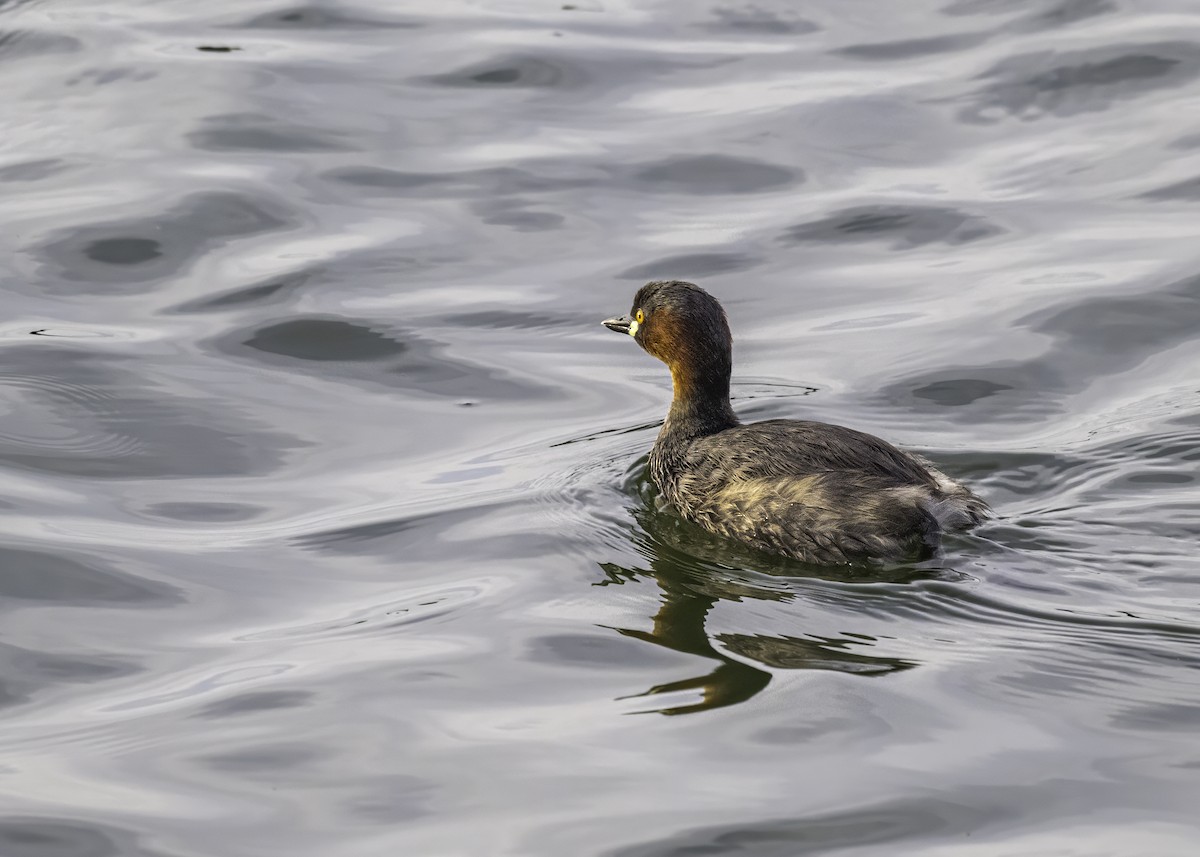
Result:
[{"x": 818, "y": 493}]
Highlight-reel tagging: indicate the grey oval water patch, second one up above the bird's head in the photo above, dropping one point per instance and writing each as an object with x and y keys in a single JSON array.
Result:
[{"x": 715, "y": 175}]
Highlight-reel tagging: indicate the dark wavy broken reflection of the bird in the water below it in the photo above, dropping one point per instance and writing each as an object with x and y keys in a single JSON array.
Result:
[{"x": 695, "y": 571}]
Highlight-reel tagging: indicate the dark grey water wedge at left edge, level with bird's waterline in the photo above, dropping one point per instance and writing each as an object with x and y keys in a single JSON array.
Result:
[{"x": 31, "y": 576}]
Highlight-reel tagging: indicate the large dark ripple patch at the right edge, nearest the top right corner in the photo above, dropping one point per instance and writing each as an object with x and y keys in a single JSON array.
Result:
[{"x": 1063, "y": 85}]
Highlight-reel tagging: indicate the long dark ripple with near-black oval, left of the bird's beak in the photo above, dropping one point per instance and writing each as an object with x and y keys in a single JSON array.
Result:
[{"x": 343, "y": 349}]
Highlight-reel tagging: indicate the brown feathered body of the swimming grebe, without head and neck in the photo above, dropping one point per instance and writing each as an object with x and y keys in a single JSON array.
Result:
[{"x": 813, "y": 492}]
